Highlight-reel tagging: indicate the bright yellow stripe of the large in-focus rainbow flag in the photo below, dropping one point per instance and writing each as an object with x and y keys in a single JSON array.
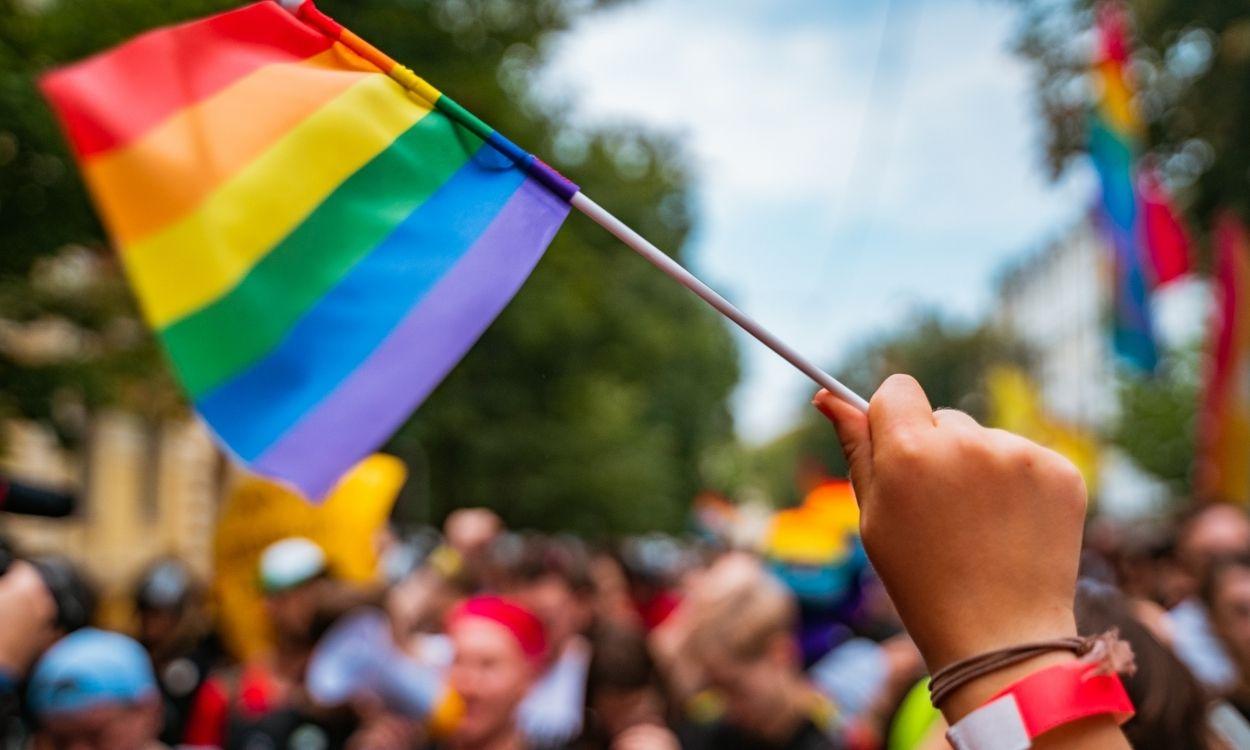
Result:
[{"x": 201, "y": 258}]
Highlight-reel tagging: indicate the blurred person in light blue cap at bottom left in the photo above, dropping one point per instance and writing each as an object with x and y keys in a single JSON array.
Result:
[{"x": 96, "y": 691}]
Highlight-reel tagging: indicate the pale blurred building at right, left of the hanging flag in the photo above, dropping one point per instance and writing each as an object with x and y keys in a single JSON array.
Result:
[{"x": 1057, "y": 303}]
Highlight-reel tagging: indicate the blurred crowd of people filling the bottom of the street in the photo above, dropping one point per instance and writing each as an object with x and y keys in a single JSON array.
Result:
[{"x": 478, "y": 637}]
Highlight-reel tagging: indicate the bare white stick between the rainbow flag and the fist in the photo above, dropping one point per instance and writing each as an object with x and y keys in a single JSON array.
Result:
[{"x": 657, "y": 258}]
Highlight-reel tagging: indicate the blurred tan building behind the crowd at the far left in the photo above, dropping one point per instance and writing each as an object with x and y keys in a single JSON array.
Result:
[{"x": 144, "y": 492}]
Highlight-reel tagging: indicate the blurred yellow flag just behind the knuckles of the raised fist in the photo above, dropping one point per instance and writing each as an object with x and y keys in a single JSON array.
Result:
[{"x": 1016, "y": 406}]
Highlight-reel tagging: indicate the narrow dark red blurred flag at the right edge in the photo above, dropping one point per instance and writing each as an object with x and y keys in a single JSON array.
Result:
[{"x": 1224, "y": 423}]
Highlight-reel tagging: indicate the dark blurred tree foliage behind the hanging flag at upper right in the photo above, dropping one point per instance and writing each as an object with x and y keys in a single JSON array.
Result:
[{"x": 1192, "y": 68}]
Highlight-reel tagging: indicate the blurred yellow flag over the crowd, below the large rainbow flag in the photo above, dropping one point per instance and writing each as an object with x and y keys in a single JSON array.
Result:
[{"x": 259, "y": 513}]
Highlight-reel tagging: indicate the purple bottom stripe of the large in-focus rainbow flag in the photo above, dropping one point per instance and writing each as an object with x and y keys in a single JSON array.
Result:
[{"x": 418, "y": 354}]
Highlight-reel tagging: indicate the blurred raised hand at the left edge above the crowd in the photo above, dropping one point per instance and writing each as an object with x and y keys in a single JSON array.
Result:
[{"x": 28, "y": 617}]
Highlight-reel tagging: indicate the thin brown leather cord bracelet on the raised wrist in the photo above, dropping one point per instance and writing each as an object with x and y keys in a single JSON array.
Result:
[{"x": 1108, "y": 648}]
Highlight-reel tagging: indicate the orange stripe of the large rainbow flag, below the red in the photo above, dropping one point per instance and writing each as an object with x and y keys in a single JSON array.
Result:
[{"x": 167, "y": 174}]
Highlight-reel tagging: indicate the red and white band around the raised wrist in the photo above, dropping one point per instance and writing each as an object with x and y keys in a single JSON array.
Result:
[{"x": 1039, "y": 703}]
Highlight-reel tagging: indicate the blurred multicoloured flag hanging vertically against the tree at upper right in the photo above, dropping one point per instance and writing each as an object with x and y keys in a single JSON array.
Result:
[{"x": 1149, "y": 243}]
